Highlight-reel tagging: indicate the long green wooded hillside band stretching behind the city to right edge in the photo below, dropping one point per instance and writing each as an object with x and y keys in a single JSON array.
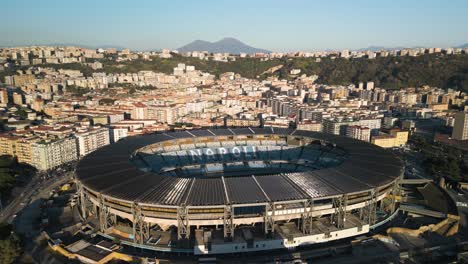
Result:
[{"x": 390, "y": 72}]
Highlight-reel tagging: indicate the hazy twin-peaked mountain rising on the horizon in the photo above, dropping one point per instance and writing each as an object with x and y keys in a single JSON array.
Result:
[{"x": 230, "y": 45}]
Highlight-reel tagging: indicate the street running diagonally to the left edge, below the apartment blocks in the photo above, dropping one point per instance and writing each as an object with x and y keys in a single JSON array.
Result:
[{"x": 35, "y": 186}]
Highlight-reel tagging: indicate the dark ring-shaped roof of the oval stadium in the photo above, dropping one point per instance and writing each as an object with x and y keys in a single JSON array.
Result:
[{"x": 110, "y": 171}]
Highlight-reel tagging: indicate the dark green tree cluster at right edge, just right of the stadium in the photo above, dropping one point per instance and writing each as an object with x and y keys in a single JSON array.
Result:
[{"x": 441, "y": 160}]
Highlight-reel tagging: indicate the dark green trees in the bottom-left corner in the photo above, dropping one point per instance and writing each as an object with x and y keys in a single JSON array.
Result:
[{"x": 10, "y": 246}]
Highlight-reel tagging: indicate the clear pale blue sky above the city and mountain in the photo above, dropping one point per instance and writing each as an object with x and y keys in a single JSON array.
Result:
[{"x": 277, "y": 25}]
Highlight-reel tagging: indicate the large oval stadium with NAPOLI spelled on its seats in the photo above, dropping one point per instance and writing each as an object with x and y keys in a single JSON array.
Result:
[{"x": 218, "y": 191}]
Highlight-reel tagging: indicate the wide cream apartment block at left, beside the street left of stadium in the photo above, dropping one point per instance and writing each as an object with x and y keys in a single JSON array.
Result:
[{"x": 50, "y": 154}]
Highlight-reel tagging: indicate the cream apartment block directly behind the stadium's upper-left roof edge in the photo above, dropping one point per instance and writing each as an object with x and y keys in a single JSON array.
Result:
[{"x": 90, "y": 140}]
